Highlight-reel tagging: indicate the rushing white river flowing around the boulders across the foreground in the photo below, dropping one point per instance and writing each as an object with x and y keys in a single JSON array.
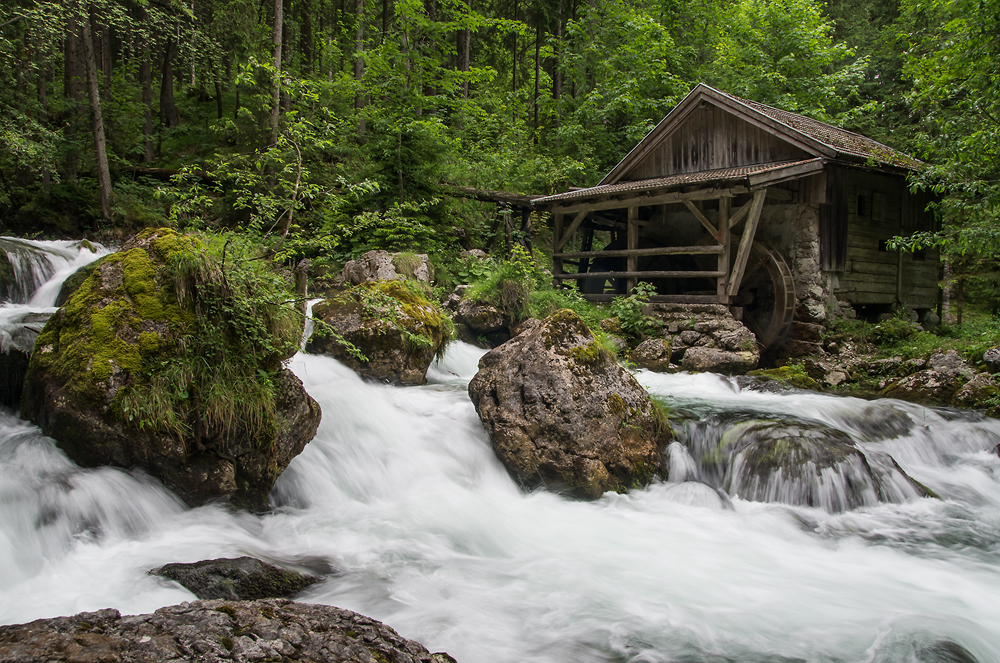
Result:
[{"x": 401, "y": 493}]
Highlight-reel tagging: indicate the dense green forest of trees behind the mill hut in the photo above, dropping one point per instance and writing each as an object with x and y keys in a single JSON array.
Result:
[{"x": 337, "y": 125}]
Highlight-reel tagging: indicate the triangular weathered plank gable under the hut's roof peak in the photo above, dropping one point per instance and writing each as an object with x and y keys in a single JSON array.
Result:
[{"x": 712, "y": 138}]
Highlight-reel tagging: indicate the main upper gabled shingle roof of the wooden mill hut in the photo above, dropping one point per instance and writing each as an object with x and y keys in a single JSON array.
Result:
[{"x": 814, "y": 137}]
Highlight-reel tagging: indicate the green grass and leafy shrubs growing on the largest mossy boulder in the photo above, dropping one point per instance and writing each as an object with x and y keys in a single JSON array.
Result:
[{"x": 222, "y": 376}]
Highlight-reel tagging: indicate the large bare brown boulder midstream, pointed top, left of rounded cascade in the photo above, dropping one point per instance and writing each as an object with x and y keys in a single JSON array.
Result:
[{"x": 562, "y": 413}]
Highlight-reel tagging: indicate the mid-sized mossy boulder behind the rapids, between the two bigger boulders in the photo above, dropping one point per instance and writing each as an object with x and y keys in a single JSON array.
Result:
[{"x": 398, "y": 331}]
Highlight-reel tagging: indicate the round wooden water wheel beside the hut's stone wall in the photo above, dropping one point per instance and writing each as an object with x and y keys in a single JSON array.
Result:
[{"x": 767, "y": 295}]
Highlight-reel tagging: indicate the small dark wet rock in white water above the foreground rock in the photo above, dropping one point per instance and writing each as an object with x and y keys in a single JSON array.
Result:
[{"x": 242, "y": 578}]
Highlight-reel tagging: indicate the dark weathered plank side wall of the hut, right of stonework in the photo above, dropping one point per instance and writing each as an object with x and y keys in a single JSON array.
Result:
[{"x": 879, "y": 207}]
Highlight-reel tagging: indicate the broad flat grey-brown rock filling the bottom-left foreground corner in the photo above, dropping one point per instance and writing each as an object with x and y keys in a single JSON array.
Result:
[{"x": 211, "y": 632}]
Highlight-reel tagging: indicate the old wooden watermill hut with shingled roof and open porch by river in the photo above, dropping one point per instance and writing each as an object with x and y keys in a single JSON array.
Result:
[{"x": 729, "y": 201}]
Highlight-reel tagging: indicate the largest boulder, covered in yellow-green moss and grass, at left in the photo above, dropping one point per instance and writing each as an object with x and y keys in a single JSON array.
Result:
[{"x": 116, "y": 378}]
